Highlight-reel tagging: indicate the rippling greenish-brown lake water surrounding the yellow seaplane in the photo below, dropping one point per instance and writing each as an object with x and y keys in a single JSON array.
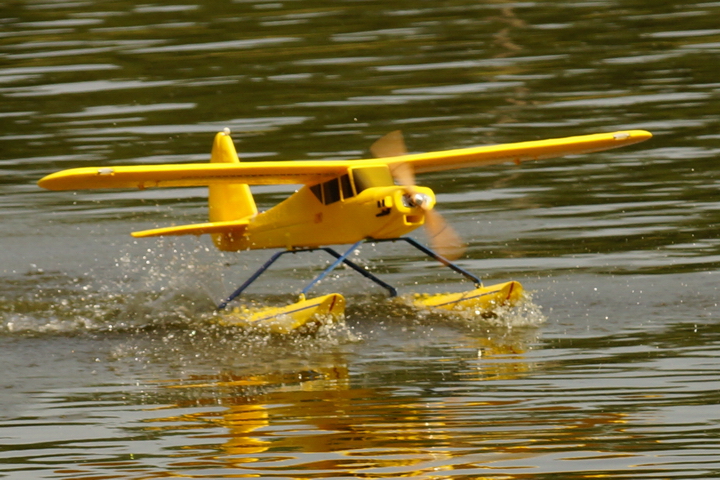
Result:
[{"x": 112, "y": 365}]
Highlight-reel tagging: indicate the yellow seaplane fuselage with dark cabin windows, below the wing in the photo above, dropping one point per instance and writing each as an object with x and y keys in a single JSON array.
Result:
[{"x": 343, "y": 210}]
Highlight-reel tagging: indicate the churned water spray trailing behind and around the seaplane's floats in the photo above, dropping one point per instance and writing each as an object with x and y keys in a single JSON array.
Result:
[{"x": 173, "y": 288}]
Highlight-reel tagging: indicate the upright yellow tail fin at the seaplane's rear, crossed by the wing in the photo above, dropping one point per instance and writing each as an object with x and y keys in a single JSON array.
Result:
[{"x": 228, "y": 202}]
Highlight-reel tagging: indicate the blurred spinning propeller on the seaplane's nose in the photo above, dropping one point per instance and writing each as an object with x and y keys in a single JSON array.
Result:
[{"x": 443, "y": 238}]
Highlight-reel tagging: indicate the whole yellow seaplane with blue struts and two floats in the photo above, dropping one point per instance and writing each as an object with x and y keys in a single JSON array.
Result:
[{"x": 341, "y": 202}]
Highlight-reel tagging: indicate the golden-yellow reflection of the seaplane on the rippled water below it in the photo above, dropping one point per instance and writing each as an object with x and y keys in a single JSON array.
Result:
[{"x": 321, "y": 420}]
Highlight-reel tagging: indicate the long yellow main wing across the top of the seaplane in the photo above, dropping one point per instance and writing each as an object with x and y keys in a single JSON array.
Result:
[{"x": 316, "y": 171}]
